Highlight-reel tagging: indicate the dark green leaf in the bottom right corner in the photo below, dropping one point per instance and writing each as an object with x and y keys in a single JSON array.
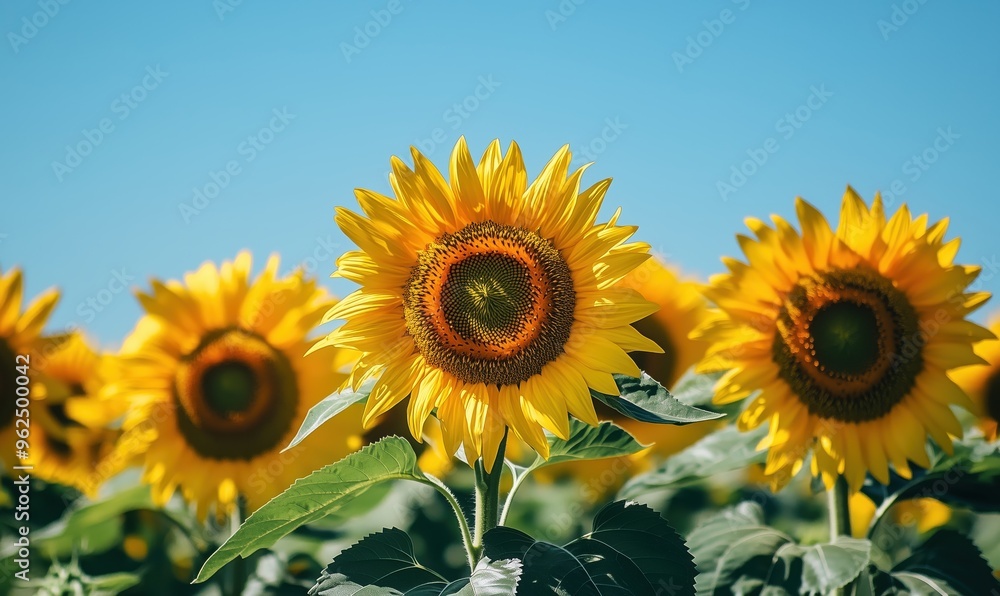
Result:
[{"x": 947, "y": 563}]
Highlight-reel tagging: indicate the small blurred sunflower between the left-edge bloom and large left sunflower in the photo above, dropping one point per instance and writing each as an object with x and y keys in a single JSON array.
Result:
[{"x": 70, "y": 432}]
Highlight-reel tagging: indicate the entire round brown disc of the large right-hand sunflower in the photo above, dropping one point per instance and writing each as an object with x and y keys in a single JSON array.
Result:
[{"x": 848, "y": 344}]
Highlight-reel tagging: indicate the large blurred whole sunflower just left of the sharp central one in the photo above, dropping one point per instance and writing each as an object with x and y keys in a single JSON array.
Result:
[{"x": 216, "y": 386}]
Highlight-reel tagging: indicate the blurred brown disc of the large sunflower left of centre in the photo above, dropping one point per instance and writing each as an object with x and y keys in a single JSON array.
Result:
[{"x": 236, "y": 395}]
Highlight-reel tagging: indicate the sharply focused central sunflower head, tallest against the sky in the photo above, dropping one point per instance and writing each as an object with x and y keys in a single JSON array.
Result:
[{"x": 489, "y": 299}]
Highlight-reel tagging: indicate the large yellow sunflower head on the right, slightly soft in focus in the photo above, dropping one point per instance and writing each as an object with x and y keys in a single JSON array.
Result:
[{"x": 848, "y": 335}]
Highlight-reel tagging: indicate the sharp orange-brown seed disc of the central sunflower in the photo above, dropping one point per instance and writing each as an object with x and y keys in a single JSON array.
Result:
[{"x": 491, "y": 303}]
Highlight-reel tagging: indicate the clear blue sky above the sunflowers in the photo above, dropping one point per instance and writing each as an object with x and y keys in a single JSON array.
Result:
[{"x": 288, "y": 107}]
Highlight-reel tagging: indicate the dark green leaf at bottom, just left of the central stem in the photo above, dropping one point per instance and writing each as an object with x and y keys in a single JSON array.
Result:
[{"x": 384, "y": 559}]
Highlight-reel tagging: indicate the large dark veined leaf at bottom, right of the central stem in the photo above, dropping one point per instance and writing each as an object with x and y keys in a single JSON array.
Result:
[{"x": 631, "y": 550}]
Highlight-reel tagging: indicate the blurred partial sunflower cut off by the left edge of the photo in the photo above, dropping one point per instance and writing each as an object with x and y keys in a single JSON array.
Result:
[{"x": 19, "y": 336}]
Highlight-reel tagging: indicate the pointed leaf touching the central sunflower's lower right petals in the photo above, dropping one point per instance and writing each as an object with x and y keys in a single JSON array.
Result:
[{"x": 645, "y": 400}]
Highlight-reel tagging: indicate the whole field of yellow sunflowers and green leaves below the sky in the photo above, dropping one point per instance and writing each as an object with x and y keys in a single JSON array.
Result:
[{"x": 555, "y": 410}]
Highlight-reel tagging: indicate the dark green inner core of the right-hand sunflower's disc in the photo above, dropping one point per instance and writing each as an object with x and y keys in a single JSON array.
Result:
[{"x": 846, "y": 337}]
